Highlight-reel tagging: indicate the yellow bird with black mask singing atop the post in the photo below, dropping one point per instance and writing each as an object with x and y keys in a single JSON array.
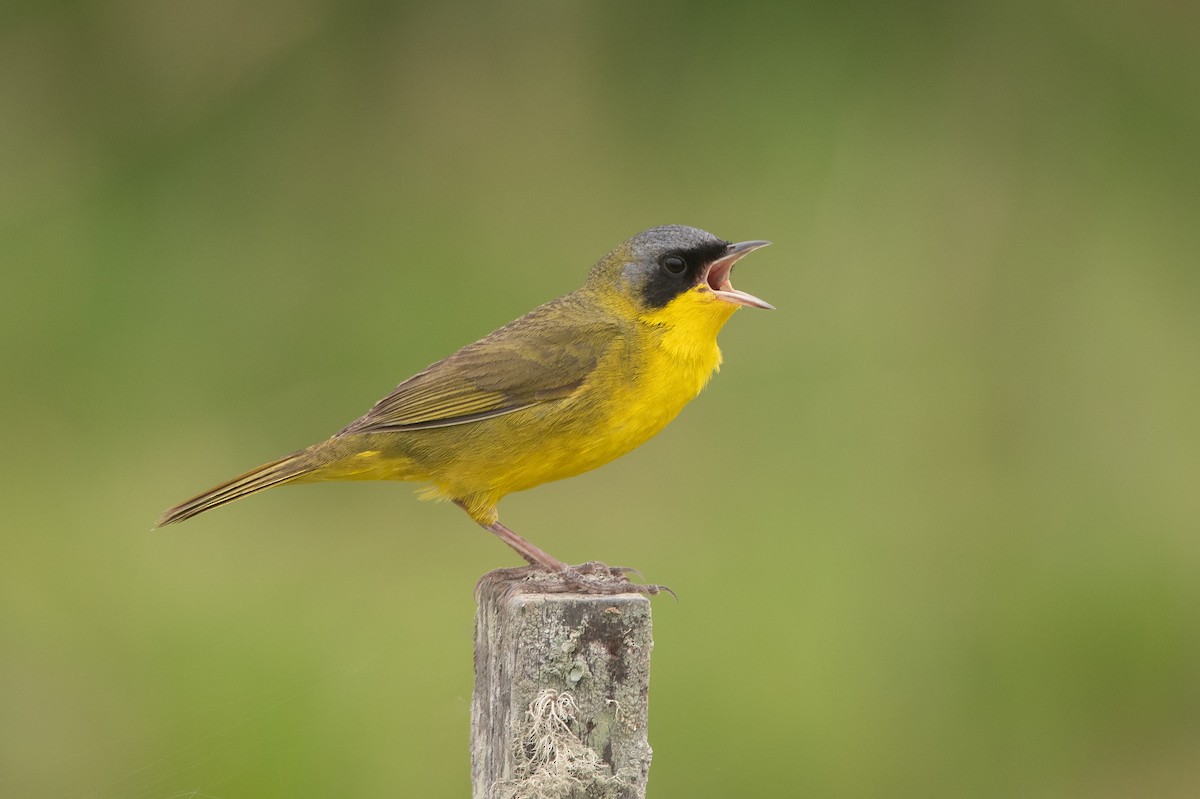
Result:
[{"x": 567, "y": 388}]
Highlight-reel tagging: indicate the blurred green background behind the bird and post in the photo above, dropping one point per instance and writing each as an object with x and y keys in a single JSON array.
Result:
[{"x": 934, "y": 528}]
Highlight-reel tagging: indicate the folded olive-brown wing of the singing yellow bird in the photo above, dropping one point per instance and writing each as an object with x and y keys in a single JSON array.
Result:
[{"x": 544, "y": 357}]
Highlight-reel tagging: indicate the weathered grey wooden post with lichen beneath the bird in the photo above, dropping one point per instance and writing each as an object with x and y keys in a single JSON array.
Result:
[{"x": 562, "y": 686}]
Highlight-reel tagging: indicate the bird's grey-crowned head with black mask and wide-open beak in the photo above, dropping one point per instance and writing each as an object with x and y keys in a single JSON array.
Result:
[{"x": 676, "y": 271}]
